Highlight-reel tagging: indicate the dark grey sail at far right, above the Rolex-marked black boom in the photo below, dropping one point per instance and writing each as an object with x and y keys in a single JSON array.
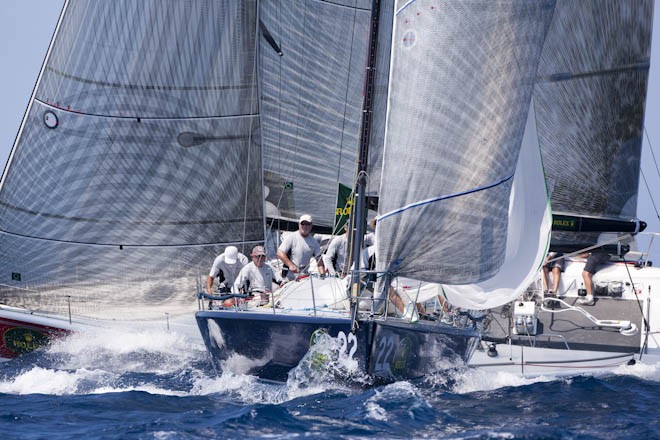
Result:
[{"x": 590, "y": 99}]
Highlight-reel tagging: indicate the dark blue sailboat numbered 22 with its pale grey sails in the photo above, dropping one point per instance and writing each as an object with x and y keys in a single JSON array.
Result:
[{"x": 450, "y": 188}]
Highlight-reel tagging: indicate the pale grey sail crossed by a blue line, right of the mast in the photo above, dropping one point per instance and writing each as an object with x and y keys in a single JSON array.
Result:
[{"x": 461, "y": 80}]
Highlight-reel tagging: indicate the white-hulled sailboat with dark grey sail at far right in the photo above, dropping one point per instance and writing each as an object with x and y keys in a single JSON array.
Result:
[{"x": 589, "y": 102}]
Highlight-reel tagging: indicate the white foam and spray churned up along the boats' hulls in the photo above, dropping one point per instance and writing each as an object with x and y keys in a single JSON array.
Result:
[{"x": 122, "y": 359}]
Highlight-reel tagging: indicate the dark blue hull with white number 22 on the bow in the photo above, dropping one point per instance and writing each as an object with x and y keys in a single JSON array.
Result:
[{"x": 269, "y": 346}]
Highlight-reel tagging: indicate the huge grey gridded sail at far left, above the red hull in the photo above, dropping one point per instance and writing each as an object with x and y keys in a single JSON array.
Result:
[{"x": 139, "y": 157}]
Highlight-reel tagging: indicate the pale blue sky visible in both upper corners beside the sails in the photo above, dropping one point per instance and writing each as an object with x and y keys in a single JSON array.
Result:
[{"x": 26, "y": 27}]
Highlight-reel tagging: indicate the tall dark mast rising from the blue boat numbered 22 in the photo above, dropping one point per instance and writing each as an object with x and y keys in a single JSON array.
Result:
[{"x": 359, "y": 219}]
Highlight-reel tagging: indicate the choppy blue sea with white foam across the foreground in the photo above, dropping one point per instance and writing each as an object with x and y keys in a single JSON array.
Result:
[{"x": 140, "y": 386}]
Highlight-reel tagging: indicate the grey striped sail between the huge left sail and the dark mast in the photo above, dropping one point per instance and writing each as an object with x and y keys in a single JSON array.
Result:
[{"x": 311, "y": 101}]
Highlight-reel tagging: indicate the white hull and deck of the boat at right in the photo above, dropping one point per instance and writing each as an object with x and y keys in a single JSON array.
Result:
[{"x": 566, "y": 341}]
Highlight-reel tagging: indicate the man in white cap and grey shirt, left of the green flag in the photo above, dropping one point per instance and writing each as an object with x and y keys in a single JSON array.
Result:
[{"x": 297, "y": 249}]
